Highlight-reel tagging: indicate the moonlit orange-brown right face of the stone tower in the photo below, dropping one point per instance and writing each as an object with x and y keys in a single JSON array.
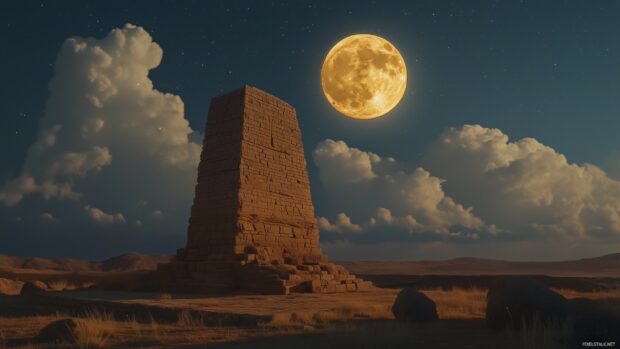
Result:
[{"x": 276, "y": 215}]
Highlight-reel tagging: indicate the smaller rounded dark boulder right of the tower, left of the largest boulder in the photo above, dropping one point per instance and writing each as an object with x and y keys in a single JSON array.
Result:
[{"x": 412, "y": 305}]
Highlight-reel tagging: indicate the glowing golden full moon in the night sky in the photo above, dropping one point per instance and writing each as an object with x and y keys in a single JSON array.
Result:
[{"x": 364, "y": 76}]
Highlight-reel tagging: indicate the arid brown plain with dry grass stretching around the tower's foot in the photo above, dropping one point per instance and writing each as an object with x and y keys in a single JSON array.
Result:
[{"x": 110, "y": 316}]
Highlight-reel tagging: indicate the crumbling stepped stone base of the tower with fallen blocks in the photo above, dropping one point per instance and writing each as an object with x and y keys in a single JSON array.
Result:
[{"x": 247, "y": 274}]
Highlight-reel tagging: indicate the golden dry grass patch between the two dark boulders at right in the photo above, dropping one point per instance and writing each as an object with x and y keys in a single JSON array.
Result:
[{"x": 459, "y": 303}]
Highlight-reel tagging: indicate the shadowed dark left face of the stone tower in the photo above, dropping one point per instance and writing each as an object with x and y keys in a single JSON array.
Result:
[{"x": 212, "y": 225}]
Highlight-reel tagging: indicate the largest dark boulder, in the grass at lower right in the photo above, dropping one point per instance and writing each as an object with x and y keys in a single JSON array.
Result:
[{"x": 513, "y": 302}]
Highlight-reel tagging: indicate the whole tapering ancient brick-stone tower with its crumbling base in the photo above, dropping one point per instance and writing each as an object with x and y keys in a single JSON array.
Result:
[{"x": 252, "y": 225}]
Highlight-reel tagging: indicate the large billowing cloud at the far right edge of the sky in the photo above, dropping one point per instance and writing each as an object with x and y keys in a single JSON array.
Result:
[{"x": 525, "y": 186}]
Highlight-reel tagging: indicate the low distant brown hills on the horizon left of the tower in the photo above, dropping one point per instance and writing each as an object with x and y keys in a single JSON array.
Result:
[{"x": 124, "y": 263}]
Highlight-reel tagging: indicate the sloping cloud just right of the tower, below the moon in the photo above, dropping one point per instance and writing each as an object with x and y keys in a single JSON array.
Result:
[{"x": 389, "y": 195}]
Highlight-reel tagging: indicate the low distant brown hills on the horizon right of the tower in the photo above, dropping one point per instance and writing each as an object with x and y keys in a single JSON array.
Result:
[{"x": 604, "y": 266}]
